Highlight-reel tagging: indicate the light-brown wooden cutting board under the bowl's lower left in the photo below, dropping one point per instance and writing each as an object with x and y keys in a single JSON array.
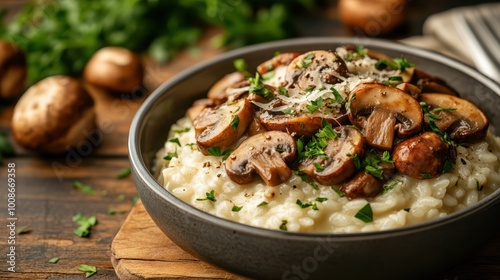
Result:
[{"x": 140, "y": 250}]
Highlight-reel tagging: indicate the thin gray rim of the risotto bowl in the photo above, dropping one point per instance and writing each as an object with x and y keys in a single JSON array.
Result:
[{"x": 144, "y": 175}]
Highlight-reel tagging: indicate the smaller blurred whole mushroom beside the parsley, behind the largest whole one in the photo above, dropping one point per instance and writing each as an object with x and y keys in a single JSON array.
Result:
[{"x": 114, "y": 68}]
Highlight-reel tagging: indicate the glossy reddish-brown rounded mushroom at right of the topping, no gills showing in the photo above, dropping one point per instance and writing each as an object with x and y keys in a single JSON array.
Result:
[{"x": 422, "y": 157}]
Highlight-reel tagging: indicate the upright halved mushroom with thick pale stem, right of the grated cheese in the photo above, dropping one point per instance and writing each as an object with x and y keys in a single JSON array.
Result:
[{"x": 389, "y": 109}]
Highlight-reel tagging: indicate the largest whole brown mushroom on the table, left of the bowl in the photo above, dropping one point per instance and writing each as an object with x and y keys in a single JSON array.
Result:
[{"x": 53, "y": 114}]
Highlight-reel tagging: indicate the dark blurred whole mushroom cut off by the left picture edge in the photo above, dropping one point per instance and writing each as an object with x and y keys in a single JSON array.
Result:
[{"x": 12, "y": 70}]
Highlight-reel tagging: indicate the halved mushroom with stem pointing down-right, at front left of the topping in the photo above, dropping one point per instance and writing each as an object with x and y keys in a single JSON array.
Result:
[{"x": 266, "y": 154}]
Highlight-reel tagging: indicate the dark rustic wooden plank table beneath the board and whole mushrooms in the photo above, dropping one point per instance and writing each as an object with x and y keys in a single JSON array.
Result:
[{"x": 46, "y": 201}]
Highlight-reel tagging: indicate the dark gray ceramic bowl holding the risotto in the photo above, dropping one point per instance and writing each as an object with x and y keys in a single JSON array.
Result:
[{"x": 410, "y": 252}]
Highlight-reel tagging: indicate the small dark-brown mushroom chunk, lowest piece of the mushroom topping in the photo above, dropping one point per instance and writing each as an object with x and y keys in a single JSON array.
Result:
[{"x": 362, "y": 185}]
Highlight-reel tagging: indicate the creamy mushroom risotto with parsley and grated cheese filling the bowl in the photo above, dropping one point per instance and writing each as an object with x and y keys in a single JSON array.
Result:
[{"x": 331, "y": 141}]
